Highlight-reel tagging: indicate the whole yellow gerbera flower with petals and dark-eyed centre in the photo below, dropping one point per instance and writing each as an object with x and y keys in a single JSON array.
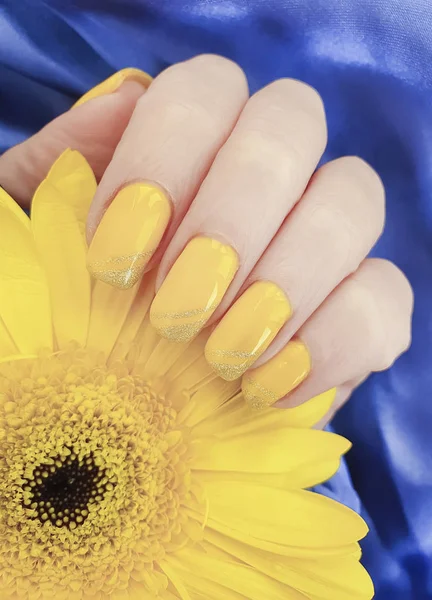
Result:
[{"x": 128, "y": 470}]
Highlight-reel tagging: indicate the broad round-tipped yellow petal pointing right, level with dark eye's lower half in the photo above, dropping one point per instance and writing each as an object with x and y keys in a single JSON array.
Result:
[{"x": 290, "y": 517}]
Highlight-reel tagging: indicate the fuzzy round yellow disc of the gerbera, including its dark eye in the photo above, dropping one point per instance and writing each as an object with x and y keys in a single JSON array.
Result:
[{"x": 95, "y": 475}]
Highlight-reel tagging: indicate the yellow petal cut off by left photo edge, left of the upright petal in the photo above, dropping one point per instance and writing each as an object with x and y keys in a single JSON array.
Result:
[{"x": 24, "y": 297}]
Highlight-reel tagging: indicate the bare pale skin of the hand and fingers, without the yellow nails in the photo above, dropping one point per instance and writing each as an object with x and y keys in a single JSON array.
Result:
[{"x": 249, "y": 180}]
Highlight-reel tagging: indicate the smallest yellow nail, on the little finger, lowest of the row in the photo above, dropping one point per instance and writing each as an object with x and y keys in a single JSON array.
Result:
[{"x": 270, "y": 382}]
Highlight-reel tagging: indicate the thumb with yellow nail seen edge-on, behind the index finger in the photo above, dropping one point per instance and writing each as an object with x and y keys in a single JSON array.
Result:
[{"x": 93, "y": 127}]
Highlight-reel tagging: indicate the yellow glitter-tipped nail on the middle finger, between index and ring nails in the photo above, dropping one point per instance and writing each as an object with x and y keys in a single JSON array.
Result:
[{"x": 193, "y": 289}]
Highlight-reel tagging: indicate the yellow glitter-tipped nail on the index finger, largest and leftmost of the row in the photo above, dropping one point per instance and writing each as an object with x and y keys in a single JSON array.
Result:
[{"x": 128, "y": 234}]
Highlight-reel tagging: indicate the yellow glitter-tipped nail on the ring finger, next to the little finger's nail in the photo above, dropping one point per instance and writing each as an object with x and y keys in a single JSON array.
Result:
[{"x": 247, "y": 329}]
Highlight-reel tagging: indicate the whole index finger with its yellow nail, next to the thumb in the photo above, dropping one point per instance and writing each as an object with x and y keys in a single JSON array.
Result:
[{"x": 173, "y": 136}]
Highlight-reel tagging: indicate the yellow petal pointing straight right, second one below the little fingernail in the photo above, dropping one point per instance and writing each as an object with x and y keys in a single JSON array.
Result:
[{"x": 277, "y": 451}]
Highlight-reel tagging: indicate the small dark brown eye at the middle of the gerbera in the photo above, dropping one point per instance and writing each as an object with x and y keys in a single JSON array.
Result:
[{"x": 61, "y": 492}]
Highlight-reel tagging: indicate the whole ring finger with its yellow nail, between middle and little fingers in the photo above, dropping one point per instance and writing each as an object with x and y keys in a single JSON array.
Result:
[{"x": 323, "y": 240}]
